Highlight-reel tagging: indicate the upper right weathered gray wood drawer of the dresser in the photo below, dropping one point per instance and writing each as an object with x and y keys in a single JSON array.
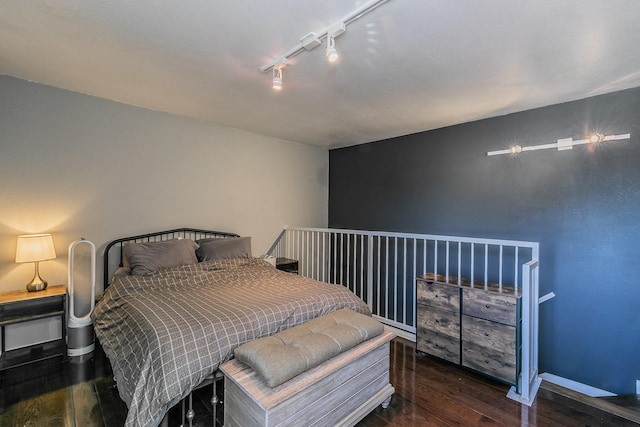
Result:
[{"x": 490, "y": 306}]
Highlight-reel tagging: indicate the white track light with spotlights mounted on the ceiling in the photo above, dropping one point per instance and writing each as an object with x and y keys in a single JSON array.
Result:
[{"x": 313, "y": 40}]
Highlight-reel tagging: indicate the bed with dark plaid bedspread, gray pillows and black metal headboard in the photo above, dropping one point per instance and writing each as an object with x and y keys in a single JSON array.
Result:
[{"x": 178, "y": 305}]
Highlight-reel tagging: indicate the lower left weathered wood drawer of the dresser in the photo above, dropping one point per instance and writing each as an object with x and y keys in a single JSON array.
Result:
[{"x": 438, "y": 333}]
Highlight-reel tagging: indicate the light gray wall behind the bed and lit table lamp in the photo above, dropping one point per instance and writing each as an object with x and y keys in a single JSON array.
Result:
[{"x": 78, "y": 166}]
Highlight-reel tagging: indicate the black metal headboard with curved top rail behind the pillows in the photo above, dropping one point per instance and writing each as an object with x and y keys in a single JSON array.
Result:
[{"x": 158, "y": 236}]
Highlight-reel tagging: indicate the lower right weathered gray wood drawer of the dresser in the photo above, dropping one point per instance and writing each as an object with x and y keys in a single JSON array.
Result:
[{"x": 490, "y": 348}]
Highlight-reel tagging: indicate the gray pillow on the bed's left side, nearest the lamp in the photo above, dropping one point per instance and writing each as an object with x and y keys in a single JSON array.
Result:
[{"x": 147, "y": 257}]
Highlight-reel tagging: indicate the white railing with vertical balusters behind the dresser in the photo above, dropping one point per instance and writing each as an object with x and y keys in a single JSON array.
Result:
[{"x": 381, "y": 267}]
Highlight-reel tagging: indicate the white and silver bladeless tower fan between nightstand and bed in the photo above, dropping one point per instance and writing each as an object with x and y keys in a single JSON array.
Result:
[{"x": 81, "y": 300}]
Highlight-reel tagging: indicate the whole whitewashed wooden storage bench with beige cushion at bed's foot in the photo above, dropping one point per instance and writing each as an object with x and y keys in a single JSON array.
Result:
[{"x": 332, "y": 370}]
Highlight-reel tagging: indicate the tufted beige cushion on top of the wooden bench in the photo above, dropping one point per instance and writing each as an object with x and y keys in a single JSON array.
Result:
[{"x": 282, "y": 356}]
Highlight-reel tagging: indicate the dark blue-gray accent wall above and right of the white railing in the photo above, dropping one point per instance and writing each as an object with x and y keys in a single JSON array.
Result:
[{"x": 582, "y": 205}]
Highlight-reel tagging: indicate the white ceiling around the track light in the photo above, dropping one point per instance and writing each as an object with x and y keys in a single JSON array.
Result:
[{"x": 408, "y": 66}]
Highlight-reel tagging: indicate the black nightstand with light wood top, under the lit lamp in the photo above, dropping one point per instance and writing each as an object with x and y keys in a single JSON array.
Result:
[{"x": 22, "y": 306}]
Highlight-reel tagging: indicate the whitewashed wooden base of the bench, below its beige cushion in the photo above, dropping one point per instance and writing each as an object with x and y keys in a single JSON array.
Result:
[{"x": 340, "y": 391}]
